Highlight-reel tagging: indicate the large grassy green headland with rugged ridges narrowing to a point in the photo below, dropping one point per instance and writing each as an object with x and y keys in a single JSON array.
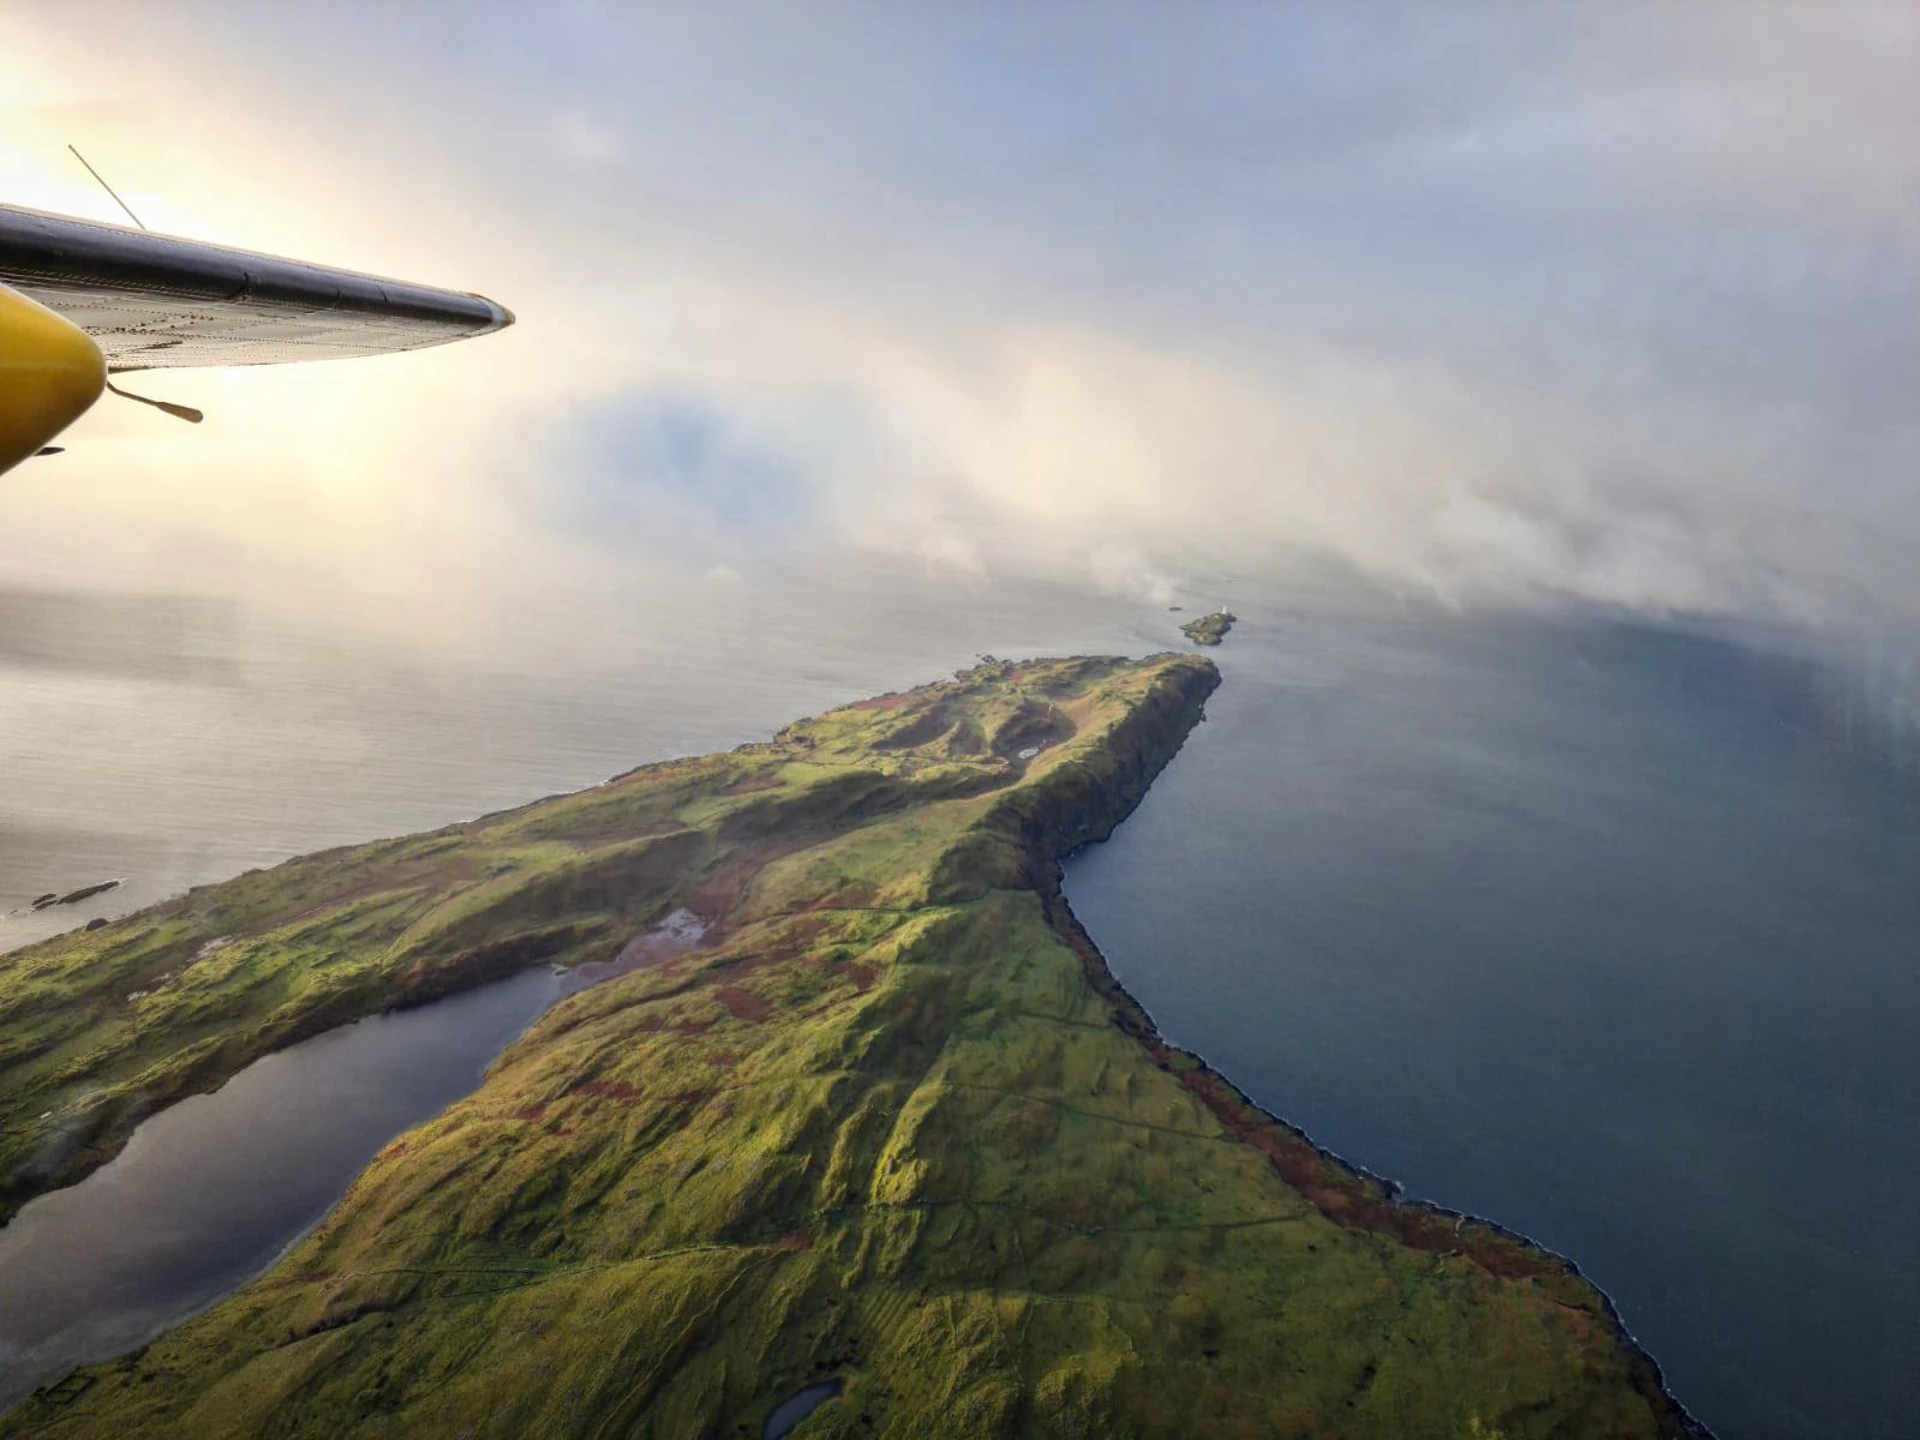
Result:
[{"x": 888, "y": 1140}]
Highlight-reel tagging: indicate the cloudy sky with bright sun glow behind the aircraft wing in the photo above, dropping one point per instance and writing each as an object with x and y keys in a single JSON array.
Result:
[{"x": 1500, "y": 304}]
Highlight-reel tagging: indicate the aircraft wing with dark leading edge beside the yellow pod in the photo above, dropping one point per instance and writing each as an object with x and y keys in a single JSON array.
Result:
[{"x": 158, "y": 302}]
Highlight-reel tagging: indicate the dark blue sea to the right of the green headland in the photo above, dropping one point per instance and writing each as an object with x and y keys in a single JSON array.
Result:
[{"x": 1606, "y": 932}]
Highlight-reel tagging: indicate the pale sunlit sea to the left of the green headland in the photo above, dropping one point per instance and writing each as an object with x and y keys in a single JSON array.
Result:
[{"x": 178, "y": 746}]
